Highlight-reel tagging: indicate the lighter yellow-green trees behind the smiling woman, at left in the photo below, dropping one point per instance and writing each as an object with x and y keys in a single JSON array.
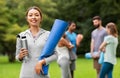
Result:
[{"x": 13, "y": 21}]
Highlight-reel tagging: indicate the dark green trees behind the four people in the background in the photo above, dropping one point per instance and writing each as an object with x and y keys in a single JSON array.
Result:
[{"x": 82, "y": 11}]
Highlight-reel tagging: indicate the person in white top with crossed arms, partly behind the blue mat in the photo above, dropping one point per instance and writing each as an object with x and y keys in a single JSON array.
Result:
[{"x": 63, "y": 56}]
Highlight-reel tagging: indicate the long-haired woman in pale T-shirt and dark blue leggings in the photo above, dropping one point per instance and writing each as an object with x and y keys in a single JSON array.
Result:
[{"x": 110, "y": 44}]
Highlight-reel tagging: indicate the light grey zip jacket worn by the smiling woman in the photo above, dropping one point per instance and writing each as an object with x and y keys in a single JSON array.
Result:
[{"x": 35, "y": 46}]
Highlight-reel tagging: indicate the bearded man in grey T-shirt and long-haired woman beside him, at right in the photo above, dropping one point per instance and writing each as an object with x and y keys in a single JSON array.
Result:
[{"x": 104, "y": 40}]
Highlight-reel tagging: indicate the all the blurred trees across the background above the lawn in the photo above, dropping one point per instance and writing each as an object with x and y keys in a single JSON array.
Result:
[{"x": 13, "y": 20}]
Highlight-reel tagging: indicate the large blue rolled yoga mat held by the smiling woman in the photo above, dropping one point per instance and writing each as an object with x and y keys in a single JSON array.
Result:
[{"x": 56, "y": 33}]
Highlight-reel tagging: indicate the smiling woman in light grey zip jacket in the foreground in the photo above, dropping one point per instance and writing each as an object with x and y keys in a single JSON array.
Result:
[{"x": 36, "y": 39}]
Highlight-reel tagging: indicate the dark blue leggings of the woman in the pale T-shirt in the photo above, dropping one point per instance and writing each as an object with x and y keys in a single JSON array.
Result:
[{"x": 106, "y": 69}]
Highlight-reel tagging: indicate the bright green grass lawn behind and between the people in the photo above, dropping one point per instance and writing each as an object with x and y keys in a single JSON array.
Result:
[{"x": 84, "y": 69}]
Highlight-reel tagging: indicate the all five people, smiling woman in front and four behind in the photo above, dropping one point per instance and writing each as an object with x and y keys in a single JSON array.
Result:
[{"x": 69, "y": 42}]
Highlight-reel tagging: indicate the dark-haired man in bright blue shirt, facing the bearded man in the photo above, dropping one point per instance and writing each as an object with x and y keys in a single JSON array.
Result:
[{"x": 74, "y": 40}]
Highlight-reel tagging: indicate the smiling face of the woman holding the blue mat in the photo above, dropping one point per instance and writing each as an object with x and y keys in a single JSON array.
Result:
[{"x": 33, "y": 17}]
